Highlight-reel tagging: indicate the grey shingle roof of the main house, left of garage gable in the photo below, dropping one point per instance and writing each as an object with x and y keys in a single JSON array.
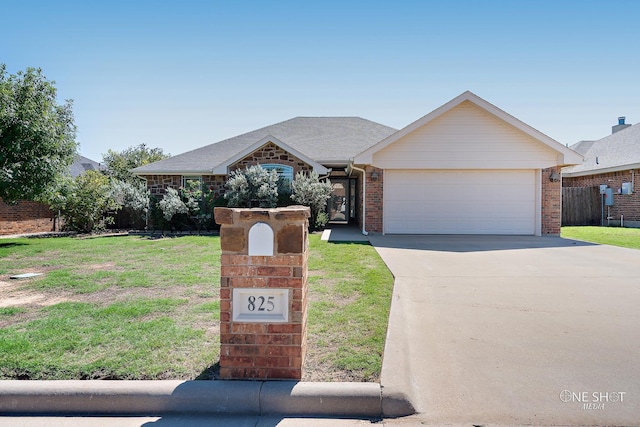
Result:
[{"x": 327, "y": 140}]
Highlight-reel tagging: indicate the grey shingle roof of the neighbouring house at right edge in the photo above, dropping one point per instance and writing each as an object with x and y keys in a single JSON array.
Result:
[{"x": 614, "y": 152}]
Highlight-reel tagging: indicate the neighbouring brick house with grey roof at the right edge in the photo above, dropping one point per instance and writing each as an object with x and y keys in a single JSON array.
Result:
[{"x": 614, "y": 162}]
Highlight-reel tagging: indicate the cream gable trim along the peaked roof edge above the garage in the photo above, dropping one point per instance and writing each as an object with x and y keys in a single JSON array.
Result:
[{"x": 564, "y": 155}]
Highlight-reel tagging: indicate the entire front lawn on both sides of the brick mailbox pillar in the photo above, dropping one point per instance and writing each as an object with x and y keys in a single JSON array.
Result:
[{"x": 132, "y": 307}]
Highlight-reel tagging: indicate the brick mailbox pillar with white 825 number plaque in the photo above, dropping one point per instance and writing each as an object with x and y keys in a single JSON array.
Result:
[{"x": 263, "y": 292}]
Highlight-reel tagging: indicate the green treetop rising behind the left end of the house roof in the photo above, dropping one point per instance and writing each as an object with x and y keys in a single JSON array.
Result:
[{"x": 119, "y": 164}]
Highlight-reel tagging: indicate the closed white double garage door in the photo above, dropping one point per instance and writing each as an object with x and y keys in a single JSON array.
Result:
[{"x": 460, "y": 202}]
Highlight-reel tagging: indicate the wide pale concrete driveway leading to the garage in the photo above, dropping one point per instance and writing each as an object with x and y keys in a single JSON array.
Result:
[{"x": 513, "y": 330}]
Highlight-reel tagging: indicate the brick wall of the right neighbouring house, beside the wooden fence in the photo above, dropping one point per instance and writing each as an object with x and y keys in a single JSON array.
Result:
[{"x": 624, "y": 204}]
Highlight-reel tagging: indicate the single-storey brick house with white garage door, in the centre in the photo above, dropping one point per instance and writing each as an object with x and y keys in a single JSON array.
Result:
[{"x": 465, "y": 168}]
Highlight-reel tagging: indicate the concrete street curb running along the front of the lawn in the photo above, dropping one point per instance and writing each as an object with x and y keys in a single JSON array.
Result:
[{"x": 156, "y": 398}]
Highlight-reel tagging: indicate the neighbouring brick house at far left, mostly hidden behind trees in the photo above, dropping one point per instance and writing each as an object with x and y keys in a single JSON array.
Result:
[{"x": 34, "y": 217}]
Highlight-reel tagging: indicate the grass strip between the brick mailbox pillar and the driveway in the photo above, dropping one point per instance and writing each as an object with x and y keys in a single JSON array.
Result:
[{"x": 349, "y": 306}]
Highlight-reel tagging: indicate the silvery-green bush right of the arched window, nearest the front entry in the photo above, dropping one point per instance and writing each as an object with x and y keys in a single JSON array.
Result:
[{"x": 308, "y": 190}]
